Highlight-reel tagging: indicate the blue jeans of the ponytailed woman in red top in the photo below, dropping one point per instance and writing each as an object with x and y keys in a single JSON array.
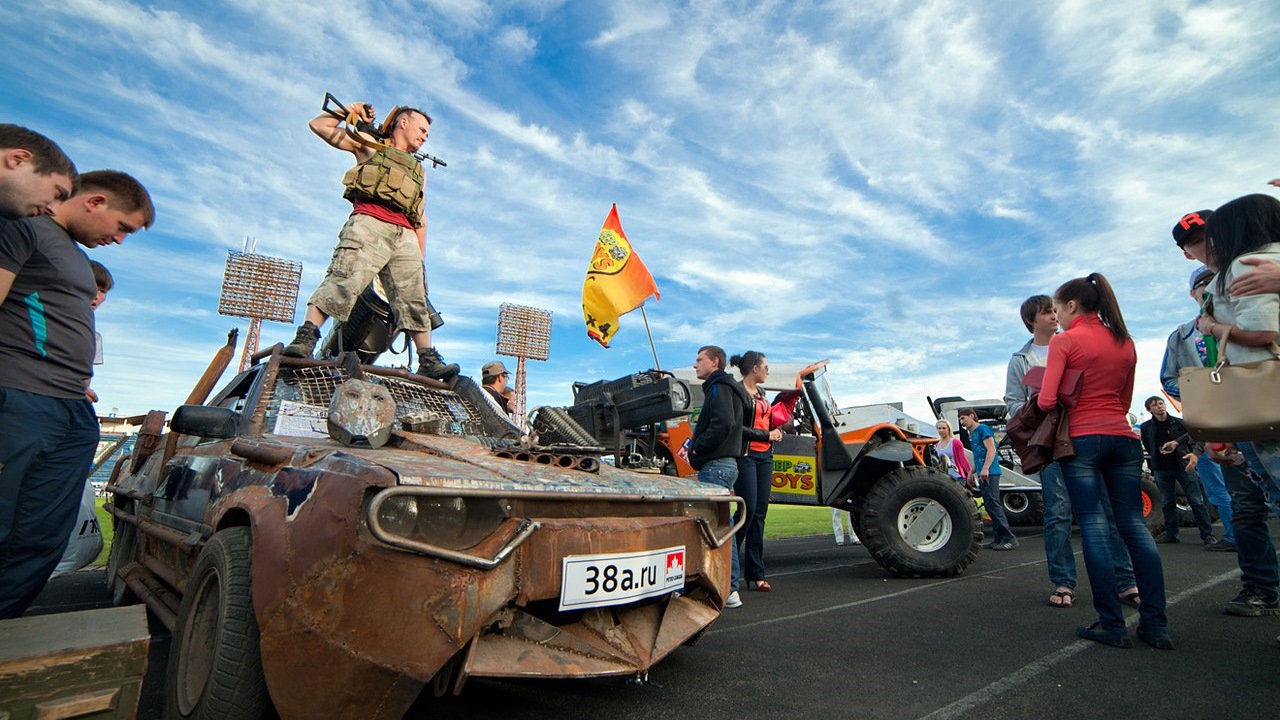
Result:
[{"x": 1112, "y": 467}]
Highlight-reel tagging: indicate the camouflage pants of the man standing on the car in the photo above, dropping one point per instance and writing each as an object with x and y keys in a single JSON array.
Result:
[{"x": 368, "y": 248}]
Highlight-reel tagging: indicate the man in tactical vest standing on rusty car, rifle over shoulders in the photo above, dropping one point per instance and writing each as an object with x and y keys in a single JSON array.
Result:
[{"x": 385, "y": 236}]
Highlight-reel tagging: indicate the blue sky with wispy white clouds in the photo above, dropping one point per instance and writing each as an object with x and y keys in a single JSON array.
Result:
[{"x": 880, "y": 184}]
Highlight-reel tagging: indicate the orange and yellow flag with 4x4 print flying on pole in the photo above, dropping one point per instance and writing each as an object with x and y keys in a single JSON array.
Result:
[{"x": 618, "y": 282}]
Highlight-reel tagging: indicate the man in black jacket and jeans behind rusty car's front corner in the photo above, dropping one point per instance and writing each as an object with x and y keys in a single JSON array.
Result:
[{"x": 717, "y": 443}]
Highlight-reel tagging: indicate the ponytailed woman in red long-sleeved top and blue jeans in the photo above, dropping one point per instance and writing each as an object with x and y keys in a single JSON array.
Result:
[{"x": 1108, "y": 455}]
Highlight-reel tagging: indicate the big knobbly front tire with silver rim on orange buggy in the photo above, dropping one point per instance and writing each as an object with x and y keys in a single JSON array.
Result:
[{"x": 918, "y": 523}]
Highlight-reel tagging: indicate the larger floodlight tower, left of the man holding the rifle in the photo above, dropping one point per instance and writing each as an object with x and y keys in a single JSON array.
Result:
[{"x": 260, "y": 289}]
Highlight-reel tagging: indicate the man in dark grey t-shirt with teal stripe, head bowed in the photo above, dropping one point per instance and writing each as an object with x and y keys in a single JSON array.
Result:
[{"x": 48, "y": 427}]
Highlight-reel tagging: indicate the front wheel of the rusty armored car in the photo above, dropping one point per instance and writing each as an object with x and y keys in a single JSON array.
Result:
[{"x": 216, "y": 671}]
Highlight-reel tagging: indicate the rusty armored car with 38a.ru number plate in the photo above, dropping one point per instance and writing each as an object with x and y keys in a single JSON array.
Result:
[{"x": 324, "y": 572}]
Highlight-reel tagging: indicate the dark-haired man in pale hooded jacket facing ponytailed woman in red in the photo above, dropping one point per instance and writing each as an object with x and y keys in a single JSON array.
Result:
[{"x": 1037, "y": 315}]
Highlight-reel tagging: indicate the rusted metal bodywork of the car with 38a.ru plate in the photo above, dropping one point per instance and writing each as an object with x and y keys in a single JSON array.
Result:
[{"x": 353, "y": 625}]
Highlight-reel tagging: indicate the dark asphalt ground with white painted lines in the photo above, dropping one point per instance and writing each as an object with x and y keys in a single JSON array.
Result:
[{"x": 838, "y": 639}]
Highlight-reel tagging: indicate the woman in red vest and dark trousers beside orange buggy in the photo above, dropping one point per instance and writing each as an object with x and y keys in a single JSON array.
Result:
[{"x": 756, "y": 471}]
